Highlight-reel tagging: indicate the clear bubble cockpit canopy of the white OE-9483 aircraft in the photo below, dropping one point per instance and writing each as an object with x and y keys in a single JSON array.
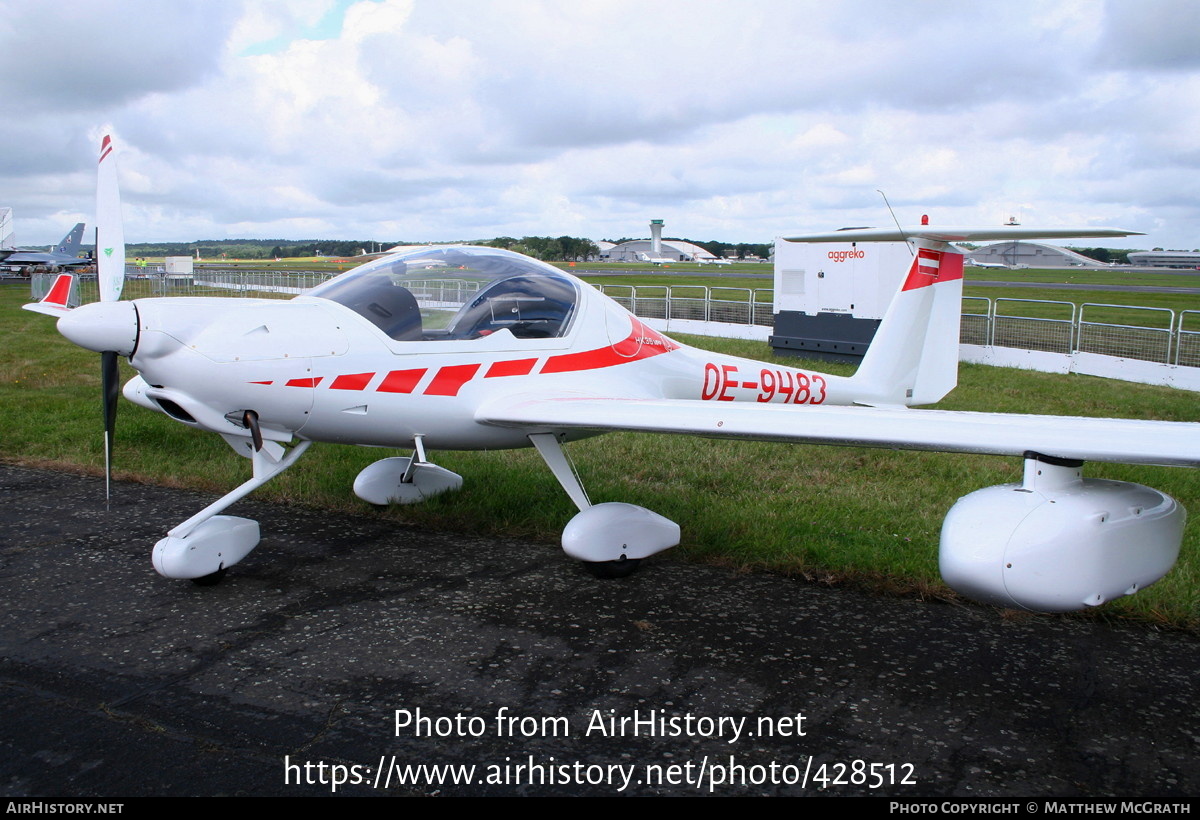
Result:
[{"x": 458, "y": 294}]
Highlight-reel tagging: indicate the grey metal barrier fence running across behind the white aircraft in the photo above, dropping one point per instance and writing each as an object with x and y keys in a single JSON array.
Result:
[{"x": 1149, "y": 334}]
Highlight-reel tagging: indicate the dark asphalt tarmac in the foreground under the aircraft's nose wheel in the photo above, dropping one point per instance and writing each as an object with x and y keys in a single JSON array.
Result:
[{"x": 507, "y": 657}]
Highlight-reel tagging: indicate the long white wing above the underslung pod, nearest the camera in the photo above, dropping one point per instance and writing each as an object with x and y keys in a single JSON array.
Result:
[{"x": 1124, "y": 441}]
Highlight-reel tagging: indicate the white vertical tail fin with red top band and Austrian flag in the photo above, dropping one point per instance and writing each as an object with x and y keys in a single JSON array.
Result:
[{"x": 914, "y": 358}]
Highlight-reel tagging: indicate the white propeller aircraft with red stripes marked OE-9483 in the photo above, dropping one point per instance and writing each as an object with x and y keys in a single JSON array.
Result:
[{"x": 461, "y": 348}]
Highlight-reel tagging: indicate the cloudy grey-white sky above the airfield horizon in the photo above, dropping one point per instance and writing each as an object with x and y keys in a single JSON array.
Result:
[{"x": 425, "y": 121}]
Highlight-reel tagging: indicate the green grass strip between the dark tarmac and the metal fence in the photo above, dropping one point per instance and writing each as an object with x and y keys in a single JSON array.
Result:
[{"x": 837, "y": 516}]
